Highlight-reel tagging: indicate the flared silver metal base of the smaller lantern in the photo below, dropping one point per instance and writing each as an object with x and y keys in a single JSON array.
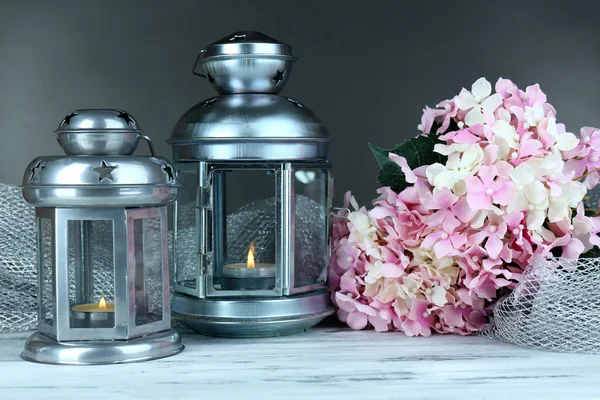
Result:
[{"x": 43, "y": 349}]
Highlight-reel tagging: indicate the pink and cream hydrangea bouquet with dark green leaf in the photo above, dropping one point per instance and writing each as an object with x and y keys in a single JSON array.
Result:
[{"x": 492, "y": 181}]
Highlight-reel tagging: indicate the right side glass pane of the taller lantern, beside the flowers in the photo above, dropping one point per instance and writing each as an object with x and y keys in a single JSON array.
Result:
[{"x": 310, "y": 226}]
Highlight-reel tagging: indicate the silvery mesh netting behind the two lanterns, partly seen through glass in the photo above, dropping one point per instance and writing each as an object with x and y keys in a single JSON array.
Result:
[{"x": 18, "y": 255}]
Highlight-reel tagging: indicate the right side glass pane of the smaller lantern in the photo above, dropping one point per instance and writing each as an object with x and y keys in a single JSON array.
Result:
[{"x": 148, "y": 270}]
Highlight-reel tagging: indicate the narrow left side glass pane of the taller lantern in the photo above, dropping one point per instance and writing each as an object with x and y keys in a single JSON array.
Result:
[{"x": 186, "y": 250}]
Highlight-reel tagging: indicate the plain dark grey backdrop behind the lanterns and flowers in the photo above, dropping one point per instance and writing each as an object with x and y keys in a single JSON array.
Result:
[{"x": 367, "y": 68}]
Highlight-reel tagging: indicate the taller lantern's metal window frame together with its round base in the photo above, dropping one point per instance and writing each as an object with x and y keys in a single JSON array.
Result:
[{"x": 285, "y": 309}]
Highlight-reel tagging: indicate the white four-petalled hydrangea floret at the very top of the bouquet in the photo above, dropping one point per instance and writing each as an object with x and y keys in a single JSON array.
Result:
[{"x": 479, "y": 99}]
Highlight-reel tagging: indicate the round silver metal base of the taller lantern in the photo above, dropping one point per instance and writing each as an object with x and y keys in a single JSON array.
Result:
[{"x": 252, "y": 317}]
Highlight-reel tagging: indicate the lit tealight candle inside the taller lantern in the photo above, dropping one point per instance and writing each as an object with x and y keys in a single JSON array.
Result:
[{"x": 248, "y": 276}]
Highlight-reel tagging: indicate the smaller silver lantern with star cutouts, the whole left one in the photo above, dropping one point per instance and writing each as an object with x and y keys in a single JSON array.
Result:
[{"x": 102, "y": 245}]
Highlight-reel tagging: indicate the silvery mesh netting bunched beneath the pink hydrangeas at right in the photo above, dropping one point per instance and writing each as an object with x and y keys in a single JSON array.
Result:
[{"x": 555, "y": 307}]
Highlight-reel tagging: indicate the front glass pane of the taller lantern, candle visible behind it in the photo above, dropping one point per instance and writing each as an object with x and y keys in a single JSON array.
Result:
[{"x": 245, "y": 229}]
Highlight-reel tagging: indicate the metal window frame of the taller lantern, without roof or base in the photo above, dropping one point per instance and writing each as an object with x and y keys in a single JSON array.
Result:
[{"x": 207, "y": 240}]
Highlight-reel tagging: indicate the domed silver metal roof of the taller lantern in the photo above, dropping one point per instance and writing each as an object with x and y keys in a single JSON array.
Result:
[{"x": 248, "y": 121}]
